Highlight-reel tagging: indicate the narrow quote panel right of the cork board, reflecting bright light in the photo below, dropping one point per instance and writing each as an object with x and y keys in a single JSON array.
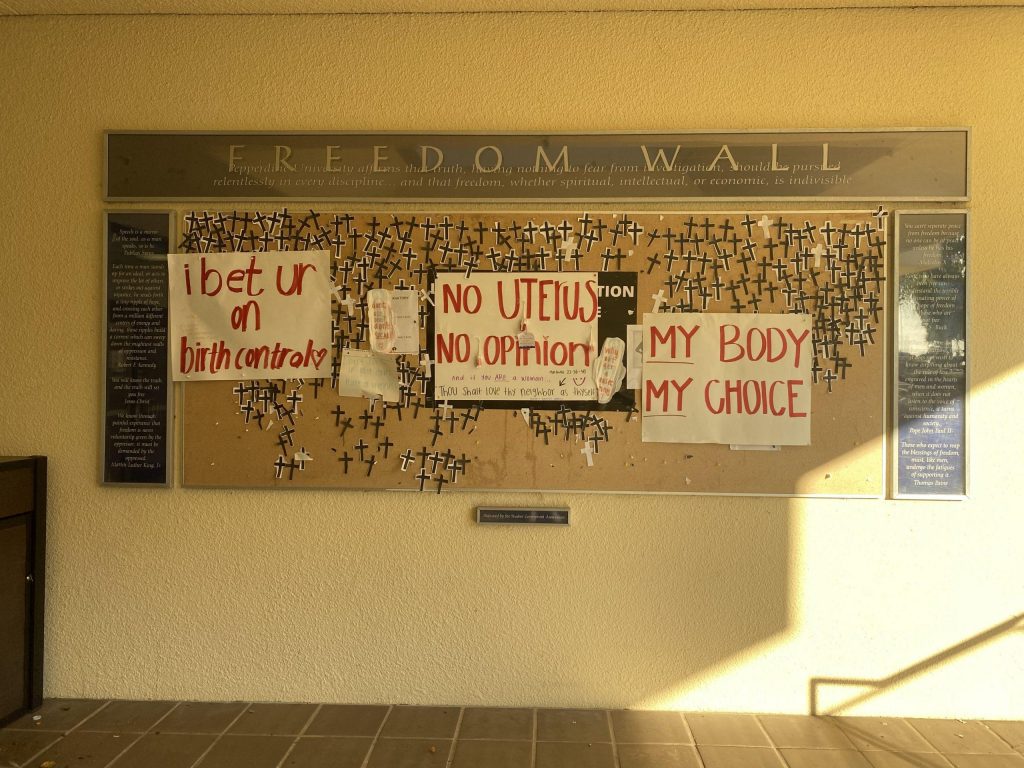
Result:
[{"x": 931, "y": 450}]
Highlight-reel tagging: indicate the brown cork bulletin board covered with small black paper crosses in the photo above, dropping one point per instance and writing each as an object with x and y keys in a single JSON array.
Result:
[{"x": 830, "y": 266}]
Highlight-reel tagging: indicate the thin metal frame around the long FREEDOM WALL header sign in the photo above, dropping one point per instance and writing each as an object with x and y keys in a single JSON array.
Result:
[{"x": 575, "y": 201}]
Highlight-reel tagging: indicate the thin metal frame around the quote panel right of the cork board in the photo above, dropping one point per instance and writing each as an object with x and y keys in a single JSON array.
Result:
[{"x": 894, "y": 361}]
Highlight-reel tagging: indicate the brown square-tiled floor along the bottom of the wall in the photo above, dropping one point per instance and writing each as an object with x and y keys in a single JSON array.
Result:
[{"x": 72, "y": 734}]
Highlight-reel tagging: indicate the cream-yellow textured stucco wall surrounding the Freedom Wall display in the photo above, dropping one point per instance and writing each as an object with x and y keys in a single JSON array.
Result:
[{"x": 708, "y": 604}]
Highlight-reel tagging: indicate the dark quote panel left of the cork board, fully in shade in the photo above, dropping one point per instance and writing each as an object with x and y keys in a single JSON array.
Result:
[{"x": 136, "y": 417}]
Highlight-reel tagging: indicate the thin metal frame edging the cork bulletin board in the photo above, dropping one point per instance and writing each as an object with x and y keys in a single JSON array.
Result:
[{"x": 883, "y": 400}]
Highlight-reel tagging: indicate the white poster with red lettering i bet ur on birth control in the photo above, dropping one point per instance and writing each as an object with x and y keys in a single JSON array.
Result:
[{"x": 246, "y": 316}]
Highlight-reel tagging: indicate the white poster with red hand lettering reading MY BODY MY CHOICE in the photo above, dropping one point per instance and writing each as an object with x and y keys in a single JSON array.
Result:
[{"x": 735, "y": 379}]
